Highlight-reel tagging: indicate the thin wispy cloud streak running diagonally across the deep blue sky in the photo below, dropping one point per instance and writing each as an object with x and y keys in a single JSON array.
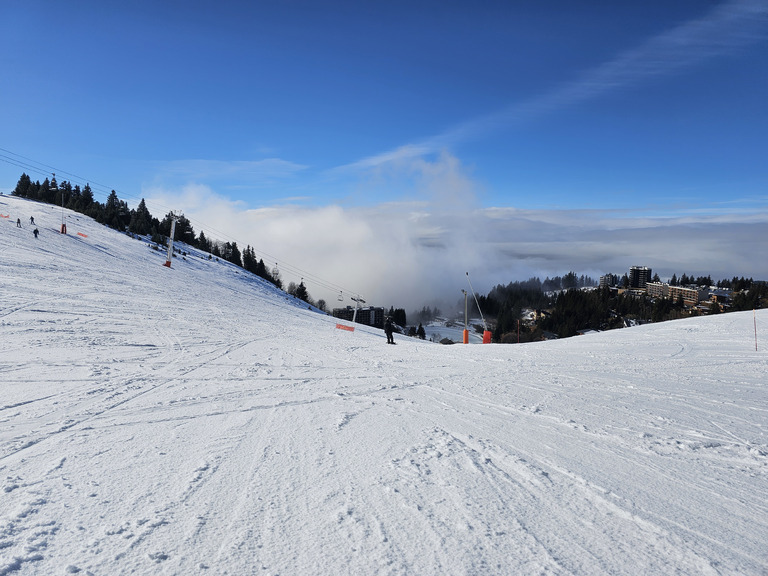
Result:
[{"x": 724, "y": 29}]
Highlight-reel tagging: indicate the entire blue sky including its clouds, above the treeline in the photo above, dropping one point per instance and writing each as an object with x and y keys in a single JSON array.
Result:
[{"x": 506, "y": 138}]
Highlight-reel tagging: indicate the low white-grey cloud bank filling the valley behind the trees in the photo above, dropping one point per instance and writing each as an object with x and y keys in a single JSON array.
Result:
[{"x": 411, "y": 253}]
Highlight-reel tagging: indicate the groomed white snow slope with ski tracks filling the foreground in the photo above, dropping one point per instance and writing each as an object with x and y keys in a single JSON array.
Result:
[{"x": 194, "y": 420}]
